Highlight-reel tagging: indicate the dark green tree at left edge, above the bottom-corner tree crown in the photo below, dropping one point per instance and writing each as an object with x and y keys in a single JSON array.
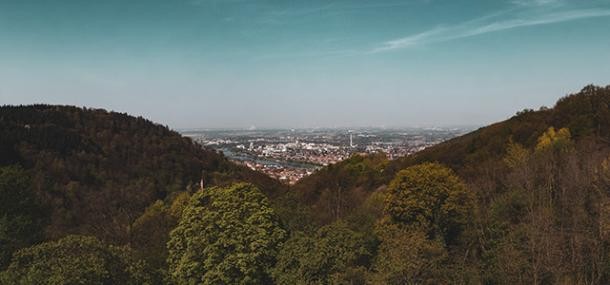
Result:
[{"x": 20, "y": 213}]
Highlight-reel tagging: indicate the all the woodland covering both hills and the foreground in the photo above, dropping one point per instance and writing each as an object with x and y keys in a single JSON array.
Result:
[{"x": 524, "y": 201}]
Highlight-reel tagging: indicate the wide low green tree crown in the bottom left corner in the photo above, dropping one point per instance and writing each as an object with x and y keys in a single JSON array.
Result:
[{"x": 75, "y": 260}]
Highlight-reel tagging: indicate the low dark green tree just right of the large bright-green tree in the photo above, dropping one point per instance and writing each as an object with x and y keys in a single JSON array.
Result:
[{"x": 334, "y": 255}]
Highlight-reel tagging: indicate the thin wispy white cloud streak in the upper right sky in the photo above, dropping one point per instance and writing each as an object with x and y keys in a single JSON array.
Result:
[{"x": 491, "y": 23}]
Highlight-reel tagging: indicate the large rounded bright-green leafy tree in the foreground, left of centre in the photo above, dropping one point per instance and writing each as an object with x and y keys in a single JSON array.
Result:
[{"x": 225, "y": 236}]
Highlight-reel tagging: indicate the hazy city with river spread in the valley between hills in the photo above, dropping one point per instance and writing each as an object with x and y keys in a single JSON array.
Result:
[{"x": 291, "y": 154}]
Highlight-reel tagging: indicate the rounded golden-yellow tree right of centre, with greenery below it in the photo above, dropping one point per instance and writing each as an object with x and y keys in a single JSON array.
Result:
[{"x": 427, "y": 208}]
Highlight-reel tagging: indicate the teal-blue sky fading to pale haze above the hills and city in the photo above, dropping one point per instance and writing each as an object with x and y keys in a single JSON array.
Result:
[{"x": 302, "y": 64}]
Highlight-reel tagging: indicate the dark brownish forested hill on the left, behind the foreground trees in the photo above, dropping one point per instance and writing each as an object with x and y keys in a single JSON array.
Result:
[{"x": 94, "y": 172}]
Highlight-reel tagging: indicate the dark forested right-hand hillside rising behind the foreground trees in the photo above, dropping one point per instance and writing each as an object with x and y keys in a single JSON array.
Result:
[{"x": 334, "y": 190}]
